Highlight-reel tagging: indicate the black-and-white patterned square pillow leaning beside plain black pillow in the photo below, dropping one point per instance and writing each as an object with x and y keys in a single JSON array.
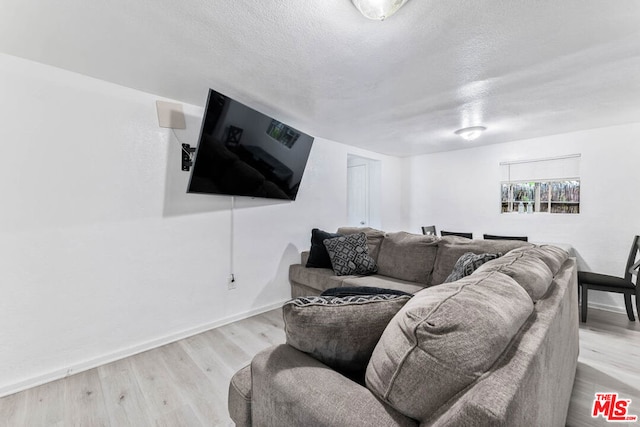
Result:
[{"x": 350, "y": 255}]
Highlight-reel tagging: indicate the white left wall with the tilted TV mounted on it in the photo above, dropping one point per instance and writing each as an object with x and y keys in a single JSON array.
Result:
[{"x": 102, "y": 254}]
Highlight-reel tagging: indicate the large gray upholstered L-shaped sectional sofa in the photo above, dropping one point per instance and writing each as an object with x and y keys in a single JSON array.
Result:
[{"x": 498, "y": 347}]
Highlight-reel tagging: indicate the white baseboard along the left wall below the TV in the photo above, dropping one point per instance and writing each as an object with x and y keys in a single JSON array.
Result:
[{"x": 129, "y": 351}]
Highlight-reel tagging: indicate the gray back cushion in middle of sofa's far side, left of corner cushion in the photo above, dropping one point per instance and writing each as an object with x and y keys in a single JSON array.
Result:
[{"x": 408, "y": 256}]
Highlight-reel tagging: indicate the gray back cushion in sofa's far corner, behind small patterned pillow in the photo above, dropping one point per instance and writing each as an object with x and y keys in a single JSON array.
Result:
[{"x": 451, "y": 248}]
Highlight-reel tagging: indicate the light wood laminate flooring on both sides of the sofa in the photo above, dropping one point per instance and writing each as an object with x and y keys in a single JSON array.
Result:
[{"x": 186, "y": 383}]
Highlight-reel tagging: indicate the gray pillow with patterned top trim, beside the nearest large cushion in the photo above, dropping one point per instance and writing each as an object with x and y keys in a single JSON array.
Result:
[{"x": 341, "y": 332}]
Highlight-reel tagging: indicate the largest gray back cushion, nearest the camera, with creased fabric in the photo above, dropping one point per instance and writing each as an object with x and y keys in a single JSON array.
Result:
[{"x": 444, "y": 339}]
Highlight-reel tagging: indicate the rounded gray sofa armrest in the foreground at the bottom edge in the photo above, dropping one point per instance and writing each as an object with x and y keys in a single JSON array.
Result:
[{"x": 292, "y": 388}]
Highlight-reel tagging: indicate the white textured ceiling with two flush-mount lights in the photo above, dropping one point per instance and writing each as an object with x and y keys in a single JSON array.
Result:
[{"x": 521, "y": 68}]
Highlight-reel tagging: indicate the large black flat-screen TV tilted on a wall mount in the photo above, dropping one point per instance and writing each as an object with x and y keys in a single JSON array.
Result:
[{"x": 243, "y": 152}]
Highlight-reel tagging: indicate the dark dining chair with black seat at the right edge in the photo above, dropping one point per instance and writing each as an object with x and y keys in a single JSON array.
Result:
[{"x": 622, "y": 285}]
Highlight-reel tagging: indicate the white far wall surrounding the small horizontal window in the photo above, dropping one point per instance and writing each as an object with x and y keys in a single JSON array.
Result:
[{"x": 459, "y": 191}]
